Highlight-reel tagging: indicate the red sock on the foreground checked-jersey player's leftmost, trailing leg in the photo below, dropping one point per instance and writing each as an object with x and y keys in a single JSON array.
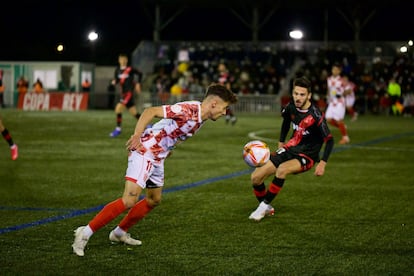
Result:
[{"x": 107, "y": 214}]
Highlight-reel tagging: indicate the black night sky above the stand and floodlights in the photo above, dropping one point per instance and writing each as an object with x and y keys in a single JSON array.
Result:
[{"x": 32, "y": 29}]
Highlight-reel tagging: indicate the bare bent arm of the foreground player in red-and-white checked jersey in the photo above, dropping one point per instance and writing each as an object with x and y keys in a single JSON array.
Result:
[{"x": 145, "y": 119}]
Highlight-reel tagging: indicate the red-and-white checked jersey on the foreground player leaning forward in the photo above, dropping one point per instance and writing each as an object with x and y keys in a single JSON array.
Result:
[{"x": 181, "y": 121}]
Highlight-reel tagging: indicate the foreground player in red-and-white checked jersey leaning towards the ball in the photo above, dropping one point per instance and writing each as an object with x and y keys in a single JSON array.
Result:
[{"x": 148, "y": 148}]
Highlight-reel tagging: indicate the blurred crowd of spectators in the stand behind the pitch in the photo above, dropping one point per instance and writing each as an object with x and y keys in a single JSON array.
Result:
[{"x": 263, "y": 72}]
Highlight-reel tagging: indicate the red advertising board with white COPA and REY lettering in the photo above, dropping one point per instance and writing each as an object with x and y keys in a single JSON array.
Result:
[{"x": 63, "y": 101}]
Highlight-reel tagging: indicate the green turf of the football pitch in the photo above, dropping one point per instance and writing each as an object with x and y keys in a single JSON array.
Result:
[{"x": 356, "y": 219}]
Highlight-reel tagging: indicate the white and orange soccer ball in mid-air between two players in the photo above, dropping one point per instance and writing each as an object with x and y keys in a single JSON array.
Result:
[{"x": 256, "y": 153}]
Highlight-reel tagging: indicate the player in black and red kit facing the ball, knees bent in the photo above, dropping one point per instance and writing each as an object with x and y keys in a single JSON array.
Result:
[{"x": 300, "y": 153}]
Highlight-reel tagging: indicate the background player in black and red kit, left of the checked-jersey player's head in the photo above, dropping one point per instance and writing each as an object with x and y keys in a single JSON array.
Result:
[{"x": 129, "y": 79}]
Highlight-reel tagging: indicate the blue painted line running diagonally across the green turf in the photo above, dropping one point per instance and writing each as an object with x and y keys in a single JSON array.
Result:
[{"x": 76, "y": 213}]
